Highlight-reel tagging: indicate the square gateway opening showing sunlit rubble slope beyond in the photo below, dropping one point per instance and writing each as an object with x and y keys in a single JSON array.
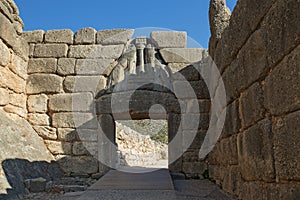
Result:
[{"x": 142, "y": 143}]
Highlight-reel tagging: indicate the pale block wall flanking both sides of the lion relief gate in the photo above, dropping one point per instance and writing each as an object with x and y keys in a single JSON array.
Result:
[{"x": 65, "y": 73}]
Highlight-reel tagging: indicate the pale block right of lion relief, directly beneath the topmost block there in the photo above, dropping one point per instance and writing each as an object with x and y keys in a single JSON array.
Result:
[{"x": 181, "y": 55}]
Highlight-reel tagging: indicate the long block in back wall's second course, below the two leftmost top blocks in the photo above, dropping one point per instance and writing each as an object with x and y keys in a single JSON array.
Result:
[{"x": 50, "y": 50}]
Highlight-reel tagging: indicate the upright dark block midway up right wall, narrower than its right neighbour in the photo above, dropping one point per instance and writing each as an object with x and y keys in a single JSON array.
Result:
[{"x": 252, "y": 109}]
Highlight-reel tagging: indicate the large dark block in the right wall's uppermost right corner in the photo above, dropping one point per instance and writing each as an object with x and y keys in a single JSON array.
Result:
[{"x": 281, "y": 39}]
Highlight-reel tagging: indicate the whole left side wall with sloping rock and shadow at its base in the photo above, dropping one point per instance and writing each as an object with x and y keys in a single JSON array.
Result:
[{"x": 21, "y": 149}]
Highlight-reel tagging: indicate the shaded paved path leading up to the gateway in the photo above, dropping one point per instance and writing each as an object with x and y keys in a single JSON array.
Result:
[{"x": 157, "y": 185}]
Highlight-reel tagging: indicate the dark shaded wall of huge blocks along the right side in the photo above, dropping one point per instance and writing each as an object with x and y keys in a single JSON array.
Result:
[{"x": 258, "y": 155}]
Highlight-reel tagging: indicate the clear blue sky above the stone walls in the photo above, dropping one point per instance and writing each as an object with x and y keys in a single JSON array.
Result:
[{"x": 189, "y": 15}]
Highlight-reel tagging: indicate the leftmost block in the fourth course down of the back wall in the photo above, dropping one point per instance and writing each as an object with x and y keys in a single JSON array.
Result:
[{"x": 44, "y": 83}]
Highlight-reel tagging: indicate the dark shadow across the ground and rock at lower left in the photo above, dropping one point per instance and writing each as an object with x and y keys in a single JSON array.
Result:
[{"x": 17, "y": 171}]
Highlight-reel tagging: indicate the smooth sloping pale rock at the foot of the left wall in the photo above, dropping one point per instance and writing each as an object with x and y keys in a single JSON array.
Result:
[{"x": 18, "y": 141}]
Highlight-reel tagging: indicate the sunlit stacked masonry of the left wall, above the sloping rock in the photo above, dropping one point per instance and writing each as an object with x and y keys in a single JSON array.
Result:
[{"x": 13, "y": 62}]
